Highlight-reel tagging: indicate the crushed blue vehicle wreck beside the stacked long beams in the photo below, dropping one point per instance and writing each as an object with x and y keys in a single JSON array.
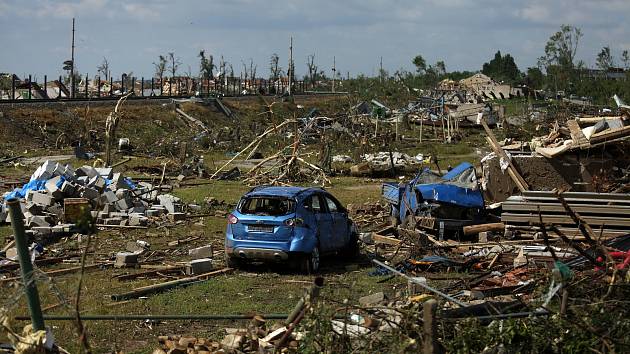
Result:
[{"x": 439, "y": 204}]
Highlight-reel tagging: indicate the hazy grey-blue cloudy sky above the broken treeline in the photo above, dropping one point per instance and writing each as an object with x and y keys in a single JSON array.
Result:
[{"x": 35, "y": 34}]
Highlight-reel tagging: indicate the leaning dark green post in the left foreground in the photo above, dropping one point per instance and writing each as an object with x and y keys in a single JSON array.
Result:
[{"x": 30, "y": 288}]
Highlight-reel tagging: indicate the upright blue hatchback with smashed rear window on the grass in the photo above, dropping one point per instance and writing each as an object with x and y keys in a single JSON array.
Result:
[{"x": 288, "y": 224}]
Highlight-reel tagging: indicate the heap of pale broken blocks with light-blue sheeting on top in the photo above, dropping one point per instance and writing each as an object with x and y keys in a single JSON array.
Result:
[{"x": 55, "y": 198}]
